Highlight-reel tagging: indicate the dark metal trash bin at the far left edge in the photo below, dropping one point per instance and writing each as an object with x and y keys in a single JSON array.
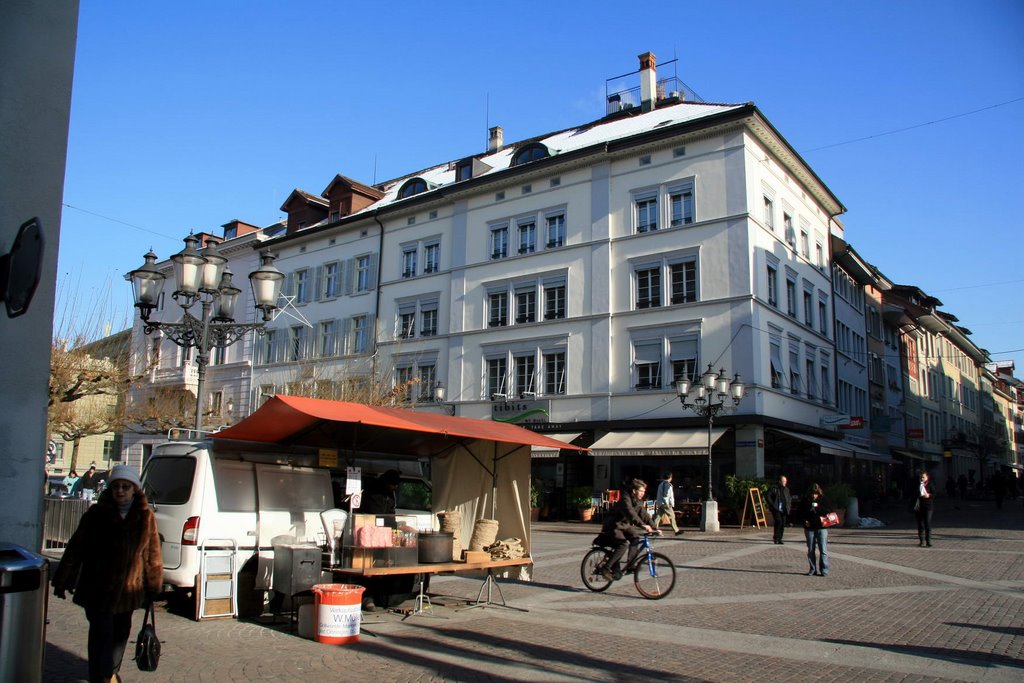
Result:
[{"x": 24, "y": 581}]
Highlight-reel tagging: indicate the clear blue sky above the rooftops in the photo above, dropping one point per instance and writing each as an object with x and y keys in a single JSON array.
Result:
[{"x": 188, "y": 115}]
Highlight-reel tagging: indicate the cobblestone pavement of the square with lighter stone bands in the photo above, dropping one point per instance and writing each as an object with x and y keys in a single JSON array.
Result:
[{"x": 743, "y": 611}]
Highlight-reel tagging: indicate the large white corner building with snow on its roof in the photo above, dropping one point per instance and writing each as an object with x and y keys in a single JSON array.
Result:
[{"x": 572, "y": 279}]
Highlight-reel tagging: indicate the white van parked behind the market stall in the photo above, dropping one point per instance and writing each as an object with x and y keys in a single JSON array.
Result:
[{"x": 219, "y": 495}]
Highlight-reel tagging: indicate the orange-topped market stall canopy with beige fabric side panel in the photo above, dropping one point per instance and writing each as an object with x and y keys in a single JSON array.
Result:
[{"x": 475, "y": 463}]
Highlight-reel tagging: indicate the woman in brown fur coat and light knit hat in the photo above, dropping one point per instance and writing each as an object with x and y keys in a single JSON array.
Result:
[{"x": 112, "y": 565}]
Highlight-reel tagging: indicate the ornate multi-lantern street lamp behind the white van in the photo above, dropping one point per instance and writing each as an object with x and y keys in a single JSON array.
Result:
[{"x": 201, "y": 276}]
